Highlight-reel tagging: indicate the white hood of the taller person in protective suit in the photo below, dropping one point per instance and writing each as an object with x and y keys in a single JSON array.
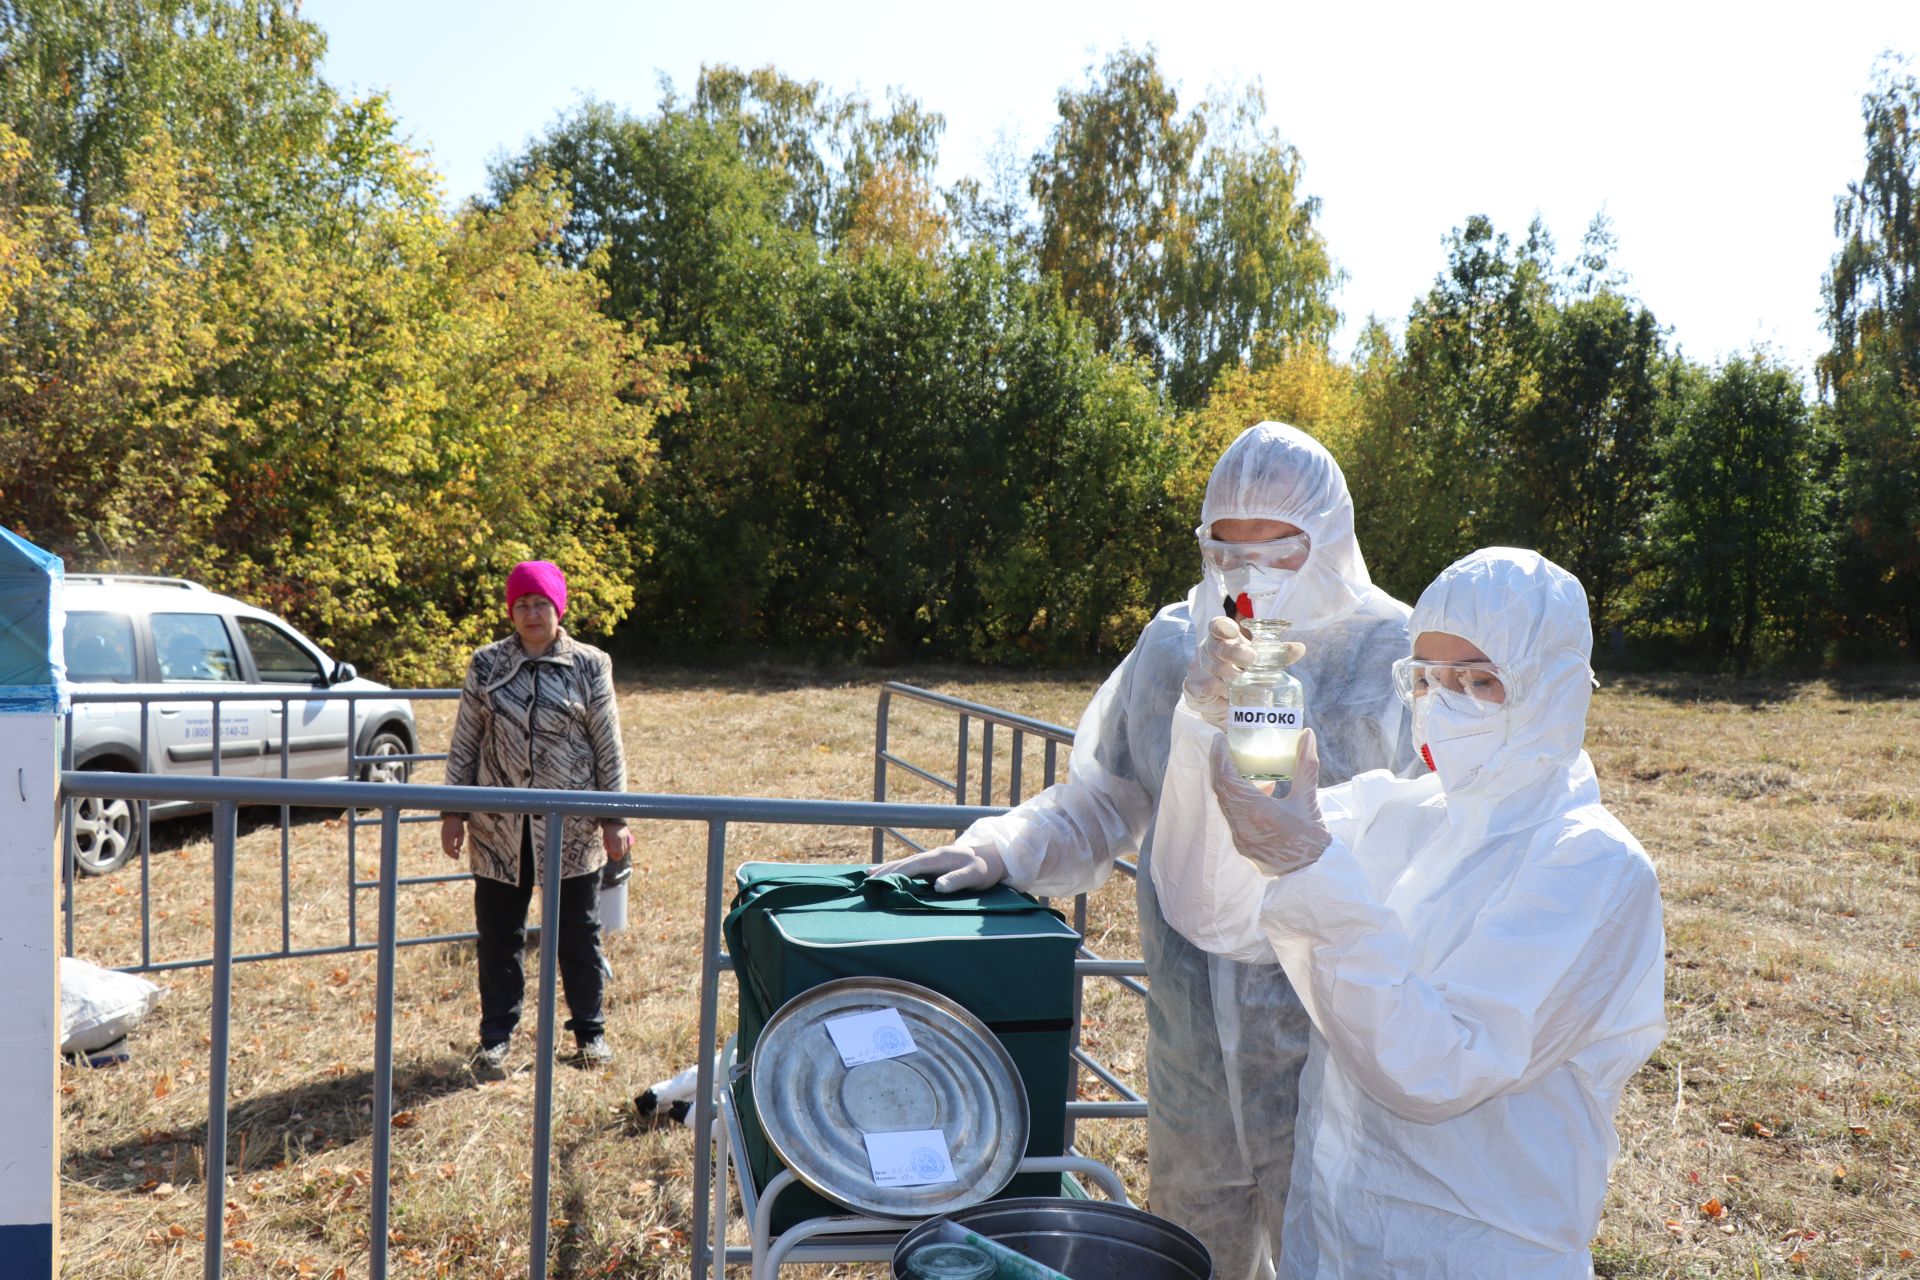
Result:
[{"x": 1280, "y": 473}]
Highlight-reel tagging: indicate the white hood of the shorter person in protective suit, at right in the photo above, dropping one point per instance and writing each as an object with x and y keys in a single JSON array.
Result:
[{"x": 1527, "y": 615}]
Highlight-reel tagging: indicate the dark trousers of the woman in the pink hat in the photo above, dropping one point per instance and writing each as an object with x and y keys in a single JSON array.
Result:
[{"x": 500, "y": 918}]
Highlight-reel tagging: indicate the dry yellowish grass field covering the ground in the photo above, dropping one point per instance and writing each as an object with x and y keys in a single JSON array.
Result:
[{"x": 1773, "y": 1135}]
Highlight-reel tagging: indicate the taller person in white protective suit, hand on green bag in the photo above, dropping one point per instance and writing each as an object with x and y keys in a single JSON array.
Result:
[{"x": 1226, "y": 1039}]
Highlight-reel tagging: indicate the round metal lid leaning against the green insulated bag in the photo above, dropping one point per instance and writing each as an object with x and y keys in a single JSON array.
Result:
[{"x": 819, "y": 1114}]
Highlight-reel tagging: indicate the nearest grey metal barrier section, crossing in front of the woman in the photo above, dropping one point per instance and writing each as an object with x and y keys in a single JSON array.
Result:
[{"x": 389, "y": 799}]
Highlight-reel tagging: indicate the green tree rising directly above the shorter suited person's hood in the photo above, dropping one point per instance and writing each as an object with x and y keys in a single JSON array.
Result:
[{"x": 1533, "y": 392}]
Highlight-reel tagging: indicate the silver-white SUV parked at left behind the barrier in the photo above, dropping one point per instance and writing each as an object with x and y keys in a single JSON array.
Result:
[{"x": 172, "y": 642}]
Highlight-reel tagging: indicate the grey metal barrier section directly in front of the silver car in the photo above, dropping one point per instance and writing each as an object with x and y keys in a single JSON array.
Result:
[{"x": 218, "y": 751}]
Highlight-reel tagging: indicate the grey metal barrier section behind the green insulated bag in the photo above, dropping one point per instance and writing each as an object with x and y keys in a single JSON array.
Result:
[{"x": 1090, "y": 964}]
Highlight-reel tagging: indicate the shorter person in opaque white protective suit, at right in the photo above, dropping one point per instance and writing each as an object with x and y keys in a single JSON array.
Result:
[{"x": 1479, "y": 949}]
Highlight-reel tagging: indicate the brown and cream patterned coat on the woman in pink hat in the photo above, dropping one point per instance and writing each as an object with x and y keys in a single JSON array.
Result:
[{"x": 542, "y": 723}]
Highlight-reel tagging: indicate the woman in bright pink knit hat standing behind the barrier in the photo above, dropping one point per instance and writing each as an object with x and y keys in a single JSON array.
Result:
[{"x": 537, "y": 711}]
